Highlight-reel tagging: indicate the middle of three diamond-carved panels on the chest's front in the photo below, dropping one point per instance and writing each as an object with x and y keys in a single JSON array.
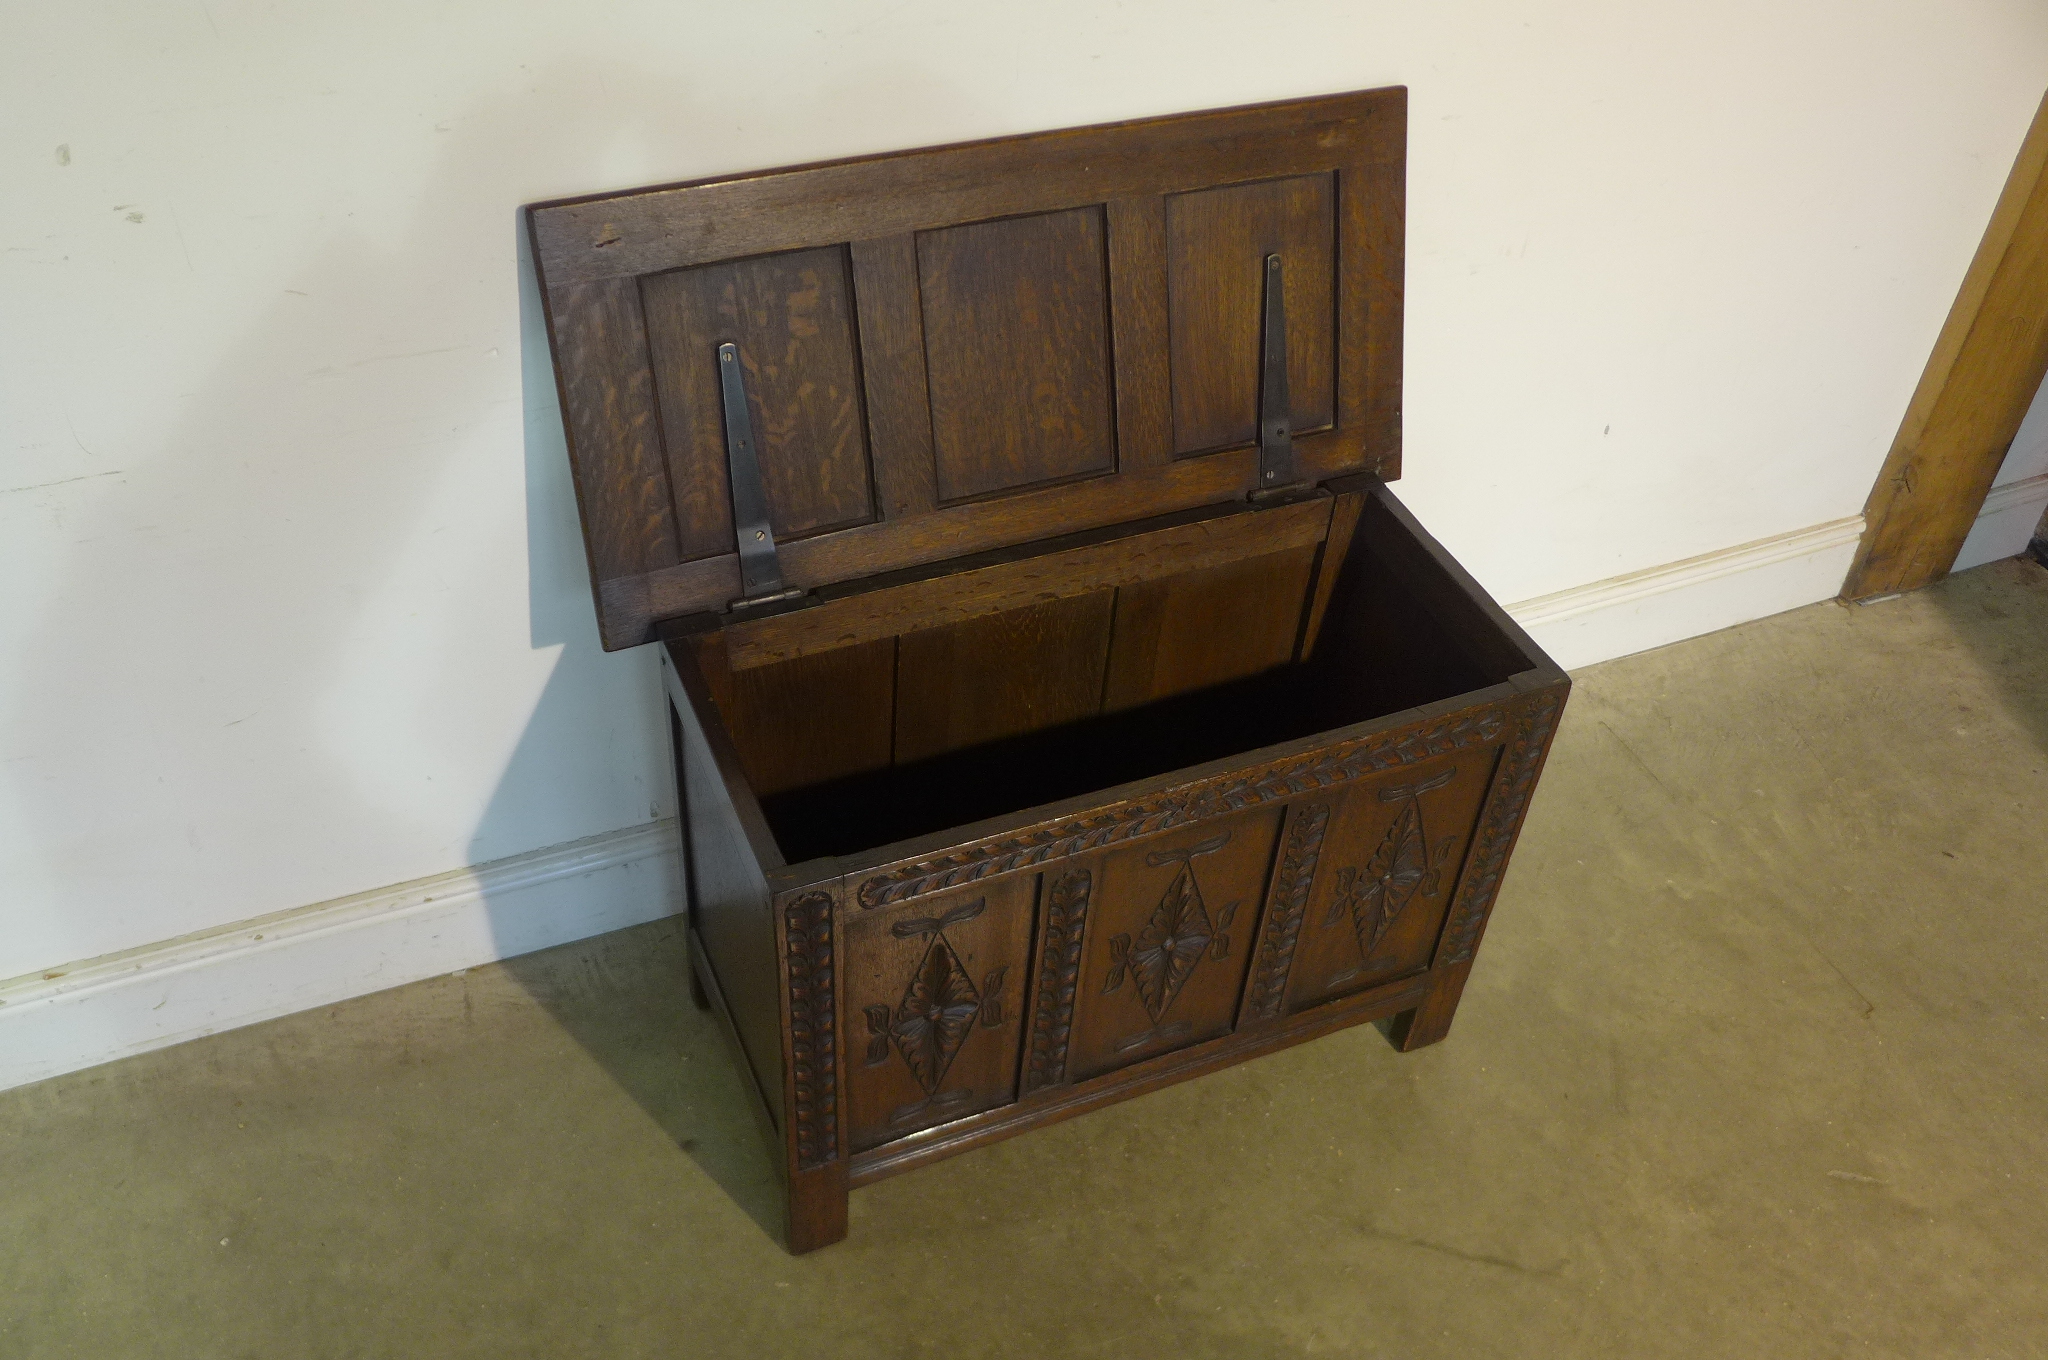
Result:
[{"x": 1170, "y": 941}]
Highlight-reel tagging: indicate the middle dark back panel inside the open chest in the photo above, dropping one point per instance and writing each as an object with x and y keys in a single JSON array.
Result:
[{"x": 1000, "y": 675}]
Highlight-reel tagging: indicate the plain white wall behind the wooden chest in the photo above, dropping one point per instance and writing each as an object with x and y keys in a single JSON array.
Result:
[{"x": 294, "y": 597}]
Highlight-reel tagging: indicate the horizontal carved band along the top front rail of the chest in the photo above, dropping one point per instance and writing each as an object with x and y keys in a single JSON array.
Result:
[{"x": 1181, "y": 806}]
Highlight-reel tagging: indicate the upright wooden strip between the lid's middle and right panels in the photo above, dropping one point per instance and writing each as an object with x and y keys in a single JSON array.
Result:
[{"x": 1140, "y": 325}]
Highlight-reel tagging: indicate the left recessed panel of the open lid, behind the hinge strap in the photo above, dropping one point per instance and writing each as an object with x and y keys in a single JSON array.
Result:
[{"x": 792, "y": 318}]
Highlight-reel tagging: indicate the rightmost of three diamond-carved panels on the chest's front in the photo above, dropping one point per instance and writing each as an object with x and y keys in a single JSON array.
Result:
[{"x": 1390, "y": 865}]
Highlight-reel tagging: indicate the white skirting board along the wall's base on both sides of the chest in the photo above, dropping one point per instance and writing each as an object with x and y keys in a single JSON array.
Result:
[{"x": 161, "y": 994}]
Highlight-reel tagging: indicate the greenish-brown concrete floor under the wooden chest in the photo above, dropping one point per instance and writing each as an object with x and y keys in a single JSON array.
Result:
[{"x": 1754, "y": 1064}]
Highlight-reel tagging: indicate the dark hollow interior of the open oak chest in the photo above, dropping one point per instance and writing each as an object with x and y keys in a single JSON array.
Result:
[{"x": 916, "y": 730}]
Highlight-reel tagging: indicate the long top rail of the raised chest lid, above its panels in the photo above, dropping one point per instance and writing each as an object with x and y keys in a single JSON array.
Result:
[{"x": 607, "y": 237}]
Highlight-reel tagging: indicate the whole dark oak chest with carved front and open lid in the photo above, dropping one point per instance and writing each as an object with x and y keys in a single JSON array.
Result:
[{"x": 1062, "y": 704}]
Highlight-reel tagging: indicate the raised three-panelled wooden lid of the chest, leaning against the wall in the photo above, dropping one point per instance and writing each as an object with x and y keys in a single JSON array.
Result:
[{"x": 878, "y": 364}]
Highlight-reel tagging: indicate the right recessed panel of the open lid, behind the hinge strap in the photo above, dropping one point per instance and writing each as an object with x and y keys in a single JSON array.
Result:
[{"x": 1218, "y": 245}]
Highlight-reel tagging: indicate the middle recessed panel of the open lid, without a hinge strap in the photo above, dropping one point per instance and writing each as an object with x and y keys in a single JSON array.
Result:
[{"x": 1017, "y": 351}]
